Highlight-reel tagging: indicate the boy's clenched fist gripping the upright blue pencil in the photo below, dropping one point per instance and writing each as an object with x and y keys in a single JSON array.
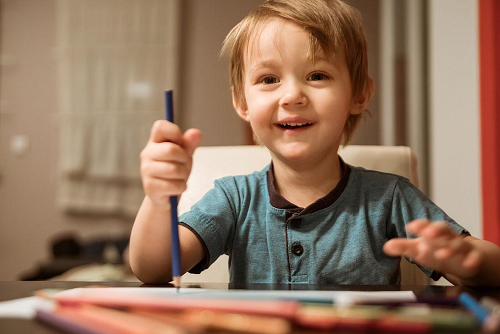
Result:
[{"x": 166, "y": 160}]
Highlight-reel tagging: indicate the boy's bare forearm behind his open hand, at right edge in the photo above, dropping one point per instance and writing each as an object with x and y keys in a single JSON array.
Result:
[{"x": 488, "y": 273}]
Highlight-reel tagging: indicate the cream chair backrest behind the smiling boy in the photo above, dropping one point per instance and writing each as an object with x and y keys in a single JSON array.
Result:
[{"x": 213, "y": 162}]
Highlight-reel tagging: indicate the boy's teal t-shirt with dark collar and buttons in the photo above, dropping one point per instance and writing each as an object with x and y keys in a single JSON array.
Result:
[{"x": 337, "y": 240}]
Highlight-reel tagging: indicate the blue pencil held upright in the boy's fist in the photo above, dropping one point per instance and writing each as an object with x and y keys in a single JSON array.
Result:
[{"x": 176, "y": 251}]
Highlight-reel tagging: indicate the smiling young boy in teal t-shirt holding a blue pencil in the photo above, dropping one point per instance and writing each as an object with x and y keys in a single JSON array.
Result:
[{"x": 299, "y": 76}]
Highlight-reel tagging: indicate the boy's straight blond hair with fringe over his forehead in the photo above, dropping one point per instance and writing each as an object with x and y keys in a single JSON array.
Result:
[{"x": 334, "y": 27}]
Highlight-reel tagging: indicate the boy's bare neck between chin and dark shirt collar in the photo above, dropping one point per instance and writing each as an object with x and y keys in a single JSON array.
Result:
[{"x": 303, "y": 184}]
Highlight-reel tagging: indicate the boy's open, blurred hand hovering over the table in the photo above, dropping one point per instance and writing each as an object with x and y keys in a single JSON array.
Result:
[{"x": 437, "y": 247}]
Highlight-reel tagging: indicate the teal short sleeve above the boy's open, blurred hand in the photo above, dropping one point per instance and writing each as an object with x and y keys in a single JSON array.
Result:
[{"x": 408, "y": 204}]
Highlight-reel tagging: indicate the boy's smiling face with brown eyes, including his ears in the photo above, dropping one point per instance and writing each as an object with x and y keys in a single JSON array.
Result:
[{"x": 296, "y": 108}]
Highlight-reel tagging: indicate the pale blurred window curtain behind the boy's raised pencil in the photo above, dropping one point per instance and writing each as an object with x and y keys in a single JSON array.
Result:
[{"x": 115, "y": 58}]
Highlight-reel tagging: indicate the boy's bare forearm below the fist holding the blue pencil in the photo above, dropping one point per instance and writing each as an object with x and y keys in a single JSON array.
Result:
[{"x": 150, "y": 243}]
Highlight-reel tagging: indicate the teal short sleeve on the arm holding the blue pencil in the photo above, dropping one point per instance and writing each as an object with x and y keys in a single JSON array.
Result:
[{"x": 212, "y": 219}]
